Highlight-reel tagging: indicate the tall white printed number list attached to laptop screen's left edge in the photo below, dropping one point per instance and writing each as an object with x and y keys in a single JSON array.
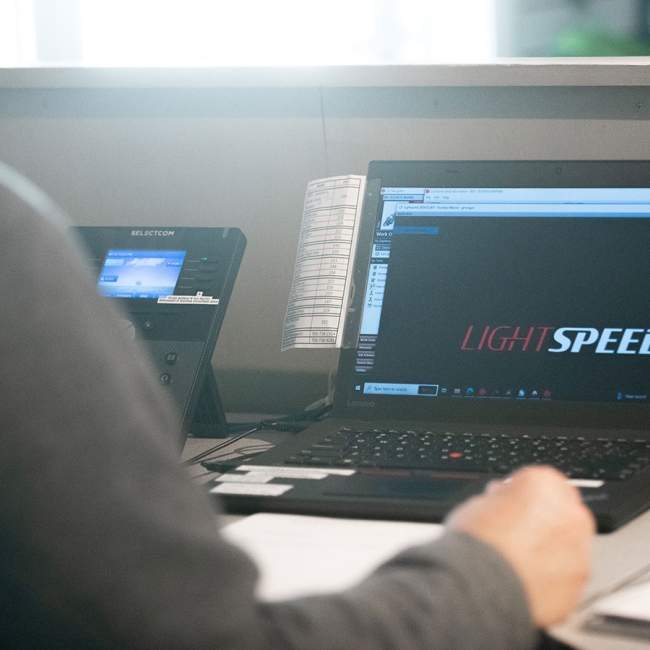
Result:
[{"x": 321, "y": 280}]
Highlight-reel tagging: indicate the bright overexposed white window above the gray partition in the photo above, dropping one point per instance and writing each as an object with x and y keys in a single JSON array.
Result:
[{"x": 244, "y": 32}]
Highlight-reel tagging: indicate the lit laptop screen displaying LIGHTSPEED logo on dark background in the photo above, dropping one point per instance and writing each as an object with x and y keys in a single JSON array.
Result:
[{"x": 522, "y": 294}]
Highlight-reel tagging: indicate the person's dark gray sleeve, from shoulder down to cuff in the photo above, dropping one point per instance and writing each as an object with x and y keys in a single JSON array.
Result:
[{"x": 102, "y": 530}]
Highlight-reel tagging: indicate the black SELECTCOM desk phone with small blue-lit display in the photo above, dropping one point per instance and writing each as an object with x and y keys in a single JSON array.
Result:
[{"x": 173, "y": 286}]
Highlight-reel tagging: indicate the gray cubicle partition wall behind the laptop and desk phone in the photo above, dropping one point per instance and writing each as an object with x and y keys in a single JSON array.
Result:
[{"x": 206, "y": 154}]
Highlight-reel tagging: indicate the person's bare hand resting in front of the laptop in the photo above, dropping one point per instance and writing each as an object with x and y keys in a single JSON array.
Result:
[{"x": 538, "y": 522}]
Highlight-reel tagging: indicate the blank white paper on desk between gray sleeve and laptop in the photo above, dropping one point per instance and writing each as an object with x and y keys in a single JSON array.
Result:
[{"x": 299, "y": 555}]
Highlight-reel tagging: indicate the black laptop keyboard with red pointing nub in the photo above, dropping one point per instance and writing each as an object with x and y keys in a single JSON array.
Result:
[{"x": 578, "y": 458}]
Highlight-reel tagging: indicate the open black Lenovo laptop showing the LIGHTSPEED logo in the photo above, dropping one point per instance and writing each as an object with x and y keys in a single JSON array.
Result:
[{"x": 499, "y": 317}]
